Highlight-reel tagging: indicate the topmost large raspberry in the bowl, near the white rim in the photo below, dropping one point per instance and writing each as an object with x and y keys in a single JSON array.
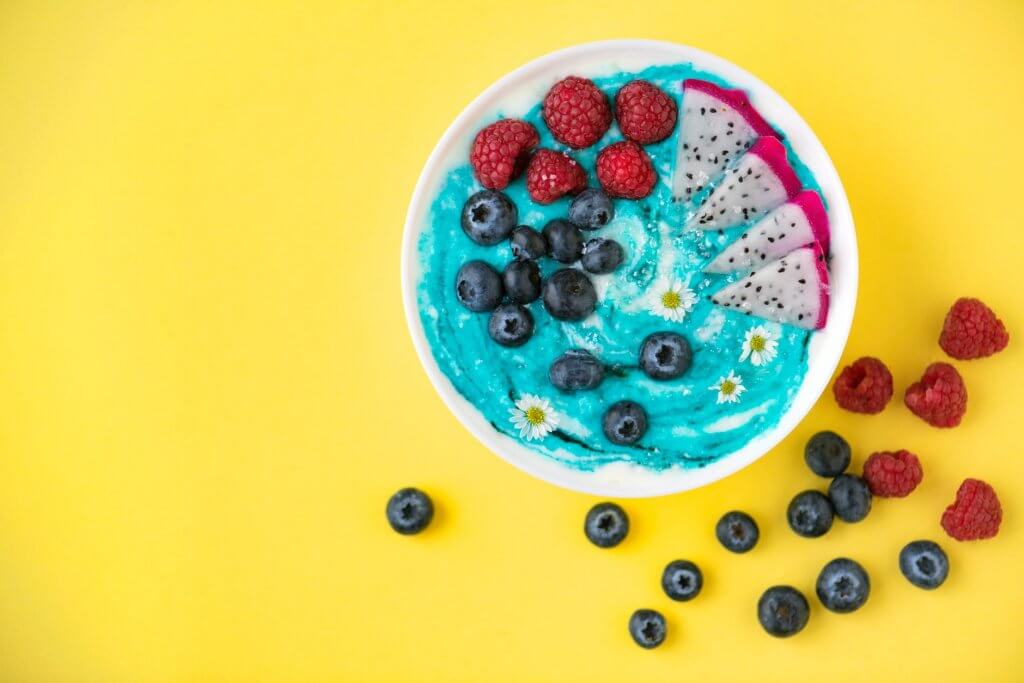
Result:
[{"x": 577, "y": 112}]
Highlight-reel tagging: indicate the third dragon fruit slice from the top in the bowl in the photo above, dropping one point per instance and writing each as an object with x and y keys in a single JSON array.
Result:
[{"x": 800, "y": 222}]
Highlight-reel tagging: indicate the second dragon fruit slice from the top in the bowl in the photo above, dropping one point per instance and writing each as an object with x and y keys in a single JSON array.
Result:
[{"x": 762, "y": 181}]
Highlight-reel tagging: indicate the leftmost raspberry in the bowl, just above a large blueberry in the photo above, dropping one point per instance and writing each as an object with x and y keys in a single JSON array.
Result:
[{"x": 501, "y": 151}]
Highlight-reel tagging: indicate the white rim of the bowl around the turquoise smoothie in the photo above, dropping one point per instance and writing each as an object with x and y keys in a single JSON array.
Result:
[{"x": 516, "y": 95}]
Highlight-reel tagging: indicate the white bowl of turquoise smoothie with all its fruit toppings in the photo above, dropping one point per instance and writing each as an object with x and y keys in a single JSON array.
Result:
[{"x": 629, "y": 269}]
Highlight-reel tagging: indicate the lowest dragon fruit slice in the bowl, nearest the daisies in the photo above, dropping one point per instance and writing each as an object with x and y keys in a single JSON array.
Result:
[{"x": 794, "y": 290}]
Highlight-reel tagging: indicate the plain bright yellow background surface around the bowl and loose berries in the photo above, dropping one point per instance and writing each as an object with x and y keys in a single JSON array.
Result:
[{"x": 208, "y": 392}]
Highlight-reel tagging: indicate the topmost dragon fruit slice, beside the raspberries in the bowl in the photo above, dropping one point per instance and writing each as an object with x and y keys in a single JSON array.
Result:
[{"x": 717, "y": 126}]
